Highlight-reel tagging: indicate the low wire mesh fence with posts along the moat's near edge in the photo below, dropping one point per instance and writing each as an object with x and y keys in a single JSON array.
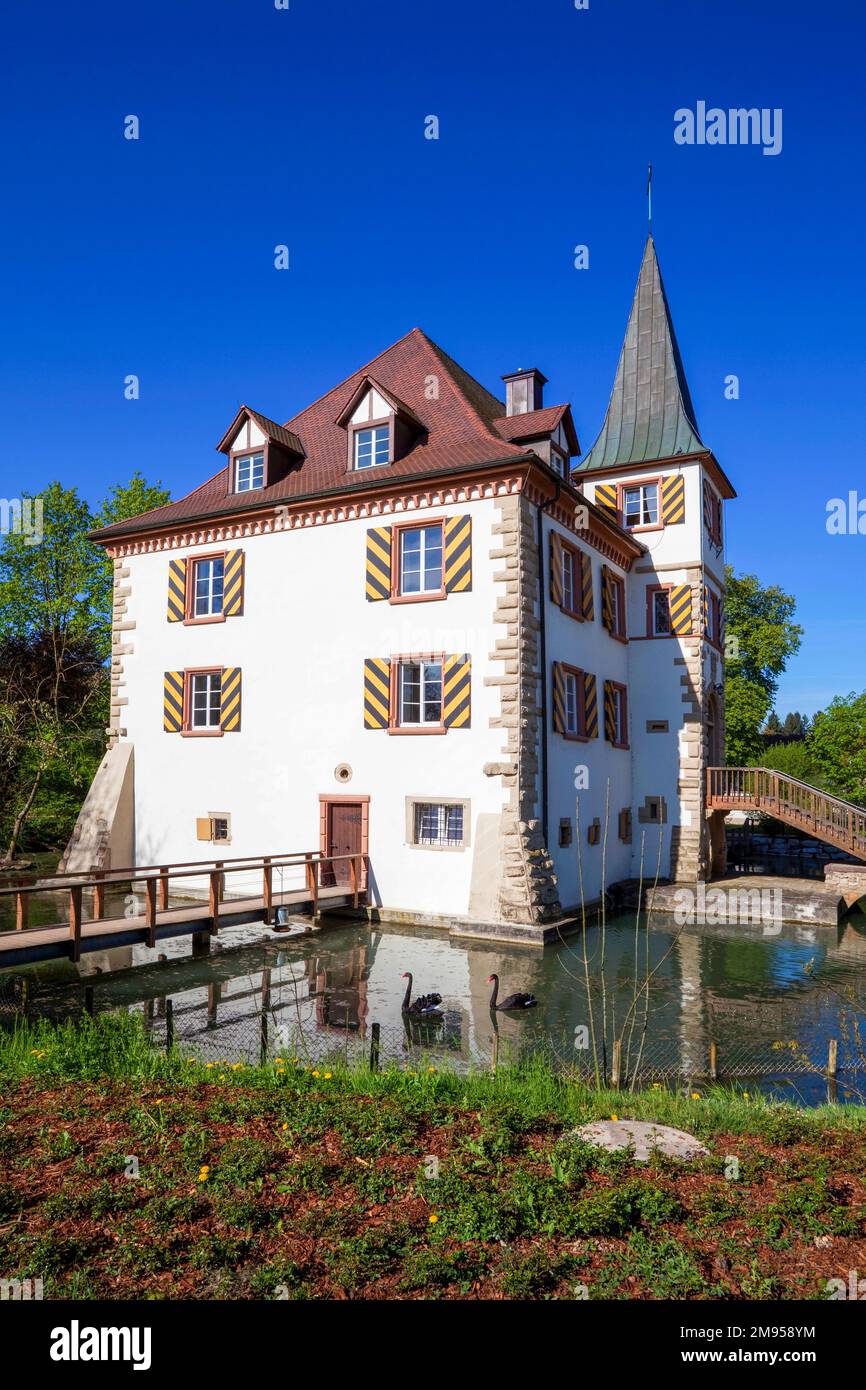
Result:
[{"x": 262, "y": 1027}]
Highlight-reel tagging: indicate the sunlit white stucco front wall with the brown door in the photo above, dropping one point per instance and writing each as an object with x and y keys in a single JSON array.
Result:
[{"x": 301, "y": 646}]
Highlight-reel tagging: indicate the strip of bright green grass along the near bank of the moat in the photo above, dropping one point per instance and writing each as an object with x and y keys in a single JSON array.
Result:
[{"x": 516, "y": 1100}]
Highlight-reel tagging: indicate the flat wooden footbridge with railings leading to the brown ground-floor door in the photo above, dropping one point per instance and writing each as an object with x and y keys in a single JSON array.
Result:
[{"x": 305, "y": 882}]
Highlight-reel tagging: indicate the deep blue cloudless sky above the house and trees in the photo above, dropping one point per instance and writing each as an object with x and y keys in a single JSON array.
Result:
[{"x": 307, "y": 127}]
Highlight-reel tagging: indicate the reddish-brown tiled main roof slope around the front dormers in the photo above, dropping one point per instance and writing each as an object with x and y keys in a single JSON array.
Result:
[{"x": 458, "y": 423}]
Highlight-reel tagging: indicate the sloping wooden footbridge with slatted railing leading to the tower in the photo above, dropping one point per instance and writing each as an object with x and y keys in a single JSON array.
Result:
[{"x": 839, "y": 824}]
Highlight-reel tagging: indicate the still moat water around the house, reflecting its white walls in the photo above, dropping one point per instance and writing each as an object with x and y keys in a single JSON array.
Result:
[{"x": 771, "y": 999}]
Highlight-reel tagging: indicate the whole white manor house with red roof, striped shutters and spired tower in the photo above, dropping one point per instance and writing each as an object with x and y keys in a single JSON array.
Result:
[{"x": 414, "y": 623}]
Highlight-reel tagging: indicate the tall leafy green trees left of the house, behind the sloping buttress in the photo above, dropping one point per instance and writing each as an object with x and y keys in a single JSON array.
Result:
[{"x": 55, "y": 644}]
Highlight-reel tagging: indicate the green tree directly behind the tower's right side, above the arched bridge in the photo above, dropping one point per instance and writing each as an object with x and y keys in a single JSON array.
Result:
[{"x": 761, "y": 639}]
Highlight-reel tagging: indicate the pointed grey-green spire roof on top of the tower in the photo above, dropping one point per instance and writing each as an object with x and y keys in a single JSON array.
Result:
[{"x": 650, "y": 415}]
